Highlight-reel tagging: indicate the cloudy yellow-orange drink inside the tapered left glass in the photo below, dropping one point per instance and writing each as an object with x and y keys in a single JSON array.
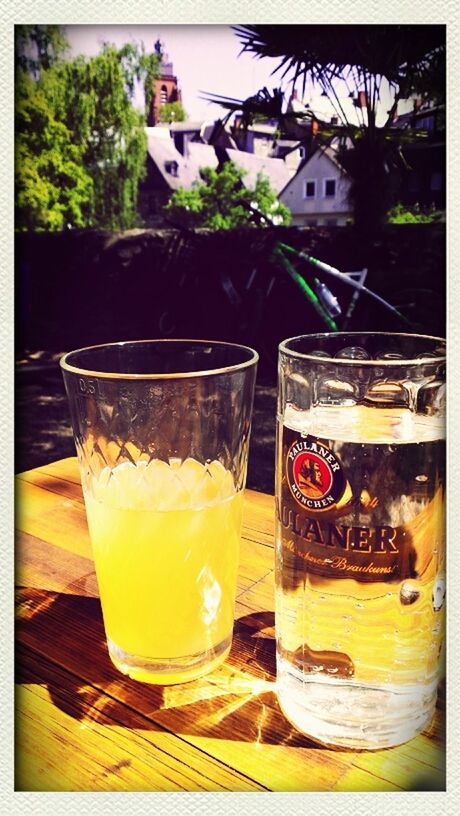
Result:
[{"x": 165, "y": 540}]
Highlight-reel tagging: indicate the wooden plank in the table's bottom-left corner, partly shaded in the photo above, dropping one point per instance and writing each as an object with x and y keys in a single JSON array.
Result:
[{"x": 92, "y": 742}]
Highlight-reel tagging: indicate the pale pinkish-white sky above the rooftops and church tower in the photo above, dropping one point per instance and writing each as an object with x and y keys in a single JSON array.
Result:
[{"x": 206, "y": 58}]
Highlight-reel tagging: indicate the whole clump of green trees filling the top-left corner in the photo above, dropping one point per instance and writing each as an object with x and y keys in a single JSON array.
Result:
[{"x": 81, "y": 163}]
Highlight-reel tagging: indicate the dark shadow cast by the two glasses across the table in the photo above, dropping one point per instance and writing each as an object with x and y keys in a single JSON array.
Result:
[{"x": 60, "y": 643}]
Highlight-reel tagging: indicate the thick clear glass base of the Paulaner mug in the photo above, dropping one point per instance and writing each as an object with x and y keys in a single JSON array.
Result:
[{"x": 353, "y": 715}]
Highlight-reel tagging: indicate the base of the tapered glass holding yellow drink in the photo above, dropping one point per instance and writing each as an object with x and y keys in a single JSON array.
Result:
[{"x": 169, "y": 670}]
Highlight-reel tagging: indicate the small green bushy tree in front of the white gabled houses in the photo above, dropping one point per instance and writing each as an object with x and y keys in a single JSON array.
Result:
[{"x": 221, "y": 202}]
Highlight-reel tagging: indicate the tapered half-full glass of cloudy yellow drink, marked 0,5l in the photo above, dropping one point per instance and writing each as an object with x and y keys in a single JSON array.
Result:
[{"x": 162, "y": 433}]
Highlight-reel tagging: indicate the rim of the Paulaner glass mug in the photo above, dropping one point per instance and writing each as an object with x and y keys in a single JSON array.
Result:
[{"x": 300, "y": 355}]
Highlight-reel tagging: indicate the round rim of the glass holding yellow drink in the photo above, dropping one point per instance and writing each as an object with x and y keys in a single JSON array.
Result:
[{"x": 172, "y": 375}]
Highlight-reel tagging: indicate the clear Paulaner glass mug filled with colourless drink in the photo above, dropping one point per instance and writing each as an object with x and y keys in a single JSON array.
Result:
[{"x": 360, "y": 559}]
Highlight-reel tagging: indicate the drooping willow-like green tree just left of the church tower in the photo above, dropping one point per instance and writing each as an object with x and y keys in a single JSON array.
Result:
[{"x": 93, "y": 98}]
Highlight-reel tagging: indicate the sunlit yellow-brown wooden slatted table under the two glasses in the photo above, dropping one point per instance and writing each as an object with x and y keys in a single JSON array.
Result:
[{"x": 82, "y": 726}]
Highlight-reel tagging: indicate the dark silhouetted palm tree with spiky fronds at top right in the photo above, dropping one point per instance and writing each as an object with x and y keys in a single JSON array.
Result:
[{"x": 406, "y": 57}]
